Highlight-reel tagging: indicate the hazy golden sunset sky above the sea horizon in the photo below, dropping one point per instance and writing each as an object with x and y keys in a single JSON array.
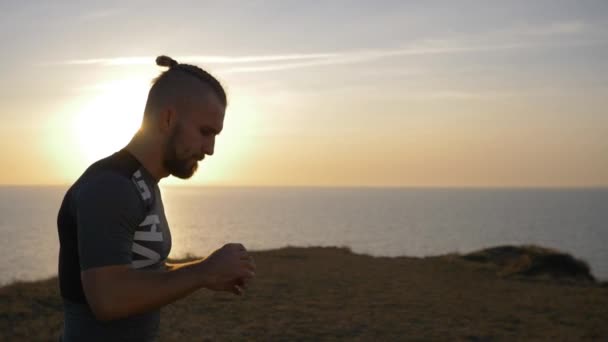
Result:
[{"x": 321, "y": 93}]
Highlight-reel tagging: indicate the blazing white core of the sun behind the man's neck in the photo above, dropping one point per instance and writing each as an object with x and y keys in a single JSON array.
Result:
[{"x": 107, "y": 122}]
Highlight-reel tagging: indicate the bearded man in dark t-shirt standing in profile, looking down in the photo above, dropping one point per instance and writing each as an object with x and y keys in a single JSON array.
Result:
[{"x": 113, "y": 234}]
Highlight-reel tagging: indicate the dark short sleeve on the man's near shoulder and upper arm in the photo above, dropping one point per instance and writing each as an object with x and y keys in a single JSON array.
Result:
[{"x": 108, "y": 210}]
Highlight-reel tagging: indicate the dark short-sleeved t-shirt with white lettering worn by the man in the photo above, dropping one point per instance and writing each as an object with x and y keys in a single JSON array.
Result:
[{"x": 112, "y": 215}]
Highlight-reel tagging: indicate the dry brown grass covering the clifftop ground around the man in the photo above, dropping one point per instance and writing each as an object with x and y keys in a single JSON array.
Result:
[{"x": 332, "y": 294}]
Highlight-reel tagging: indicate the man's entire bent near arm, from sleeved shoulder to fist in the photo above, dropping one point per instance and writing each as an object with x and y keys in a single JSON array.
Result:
[{"x": 108, "y": 210}]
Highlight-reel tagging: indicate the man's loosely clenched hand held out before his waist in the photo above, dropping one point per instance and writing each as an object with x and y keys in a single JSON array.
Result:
[{"x": 229, "y": 268}]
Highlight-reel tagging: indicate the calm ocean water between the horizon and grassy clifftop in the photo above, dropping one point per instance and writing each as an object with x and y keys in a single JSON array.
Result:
[{"x": 375, "y": 221}]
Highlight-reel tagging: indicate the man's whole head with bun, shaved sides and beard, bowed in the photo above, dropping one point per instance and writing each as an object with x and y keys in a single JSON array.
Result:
[{"x": 185, "y": 111}]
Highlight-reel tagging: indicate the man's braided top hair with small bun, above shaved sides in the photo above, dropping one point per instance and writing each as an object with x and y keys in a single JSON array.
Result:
[{"x": 191, "y": 70}]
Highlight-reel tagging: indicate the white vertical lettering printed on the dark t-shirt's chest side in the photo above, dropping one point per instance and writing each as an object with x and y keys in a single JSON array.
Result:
[{"x": 148, "y": 230}]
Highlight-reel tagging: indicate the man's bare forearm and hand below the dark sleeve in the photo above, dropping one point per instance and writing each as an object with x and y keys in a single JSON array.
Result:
[{"x": 118, "y": 291}]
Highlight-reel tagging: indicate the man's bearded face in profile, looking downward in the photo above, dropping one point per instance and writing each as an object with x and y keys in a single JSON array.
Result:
[{"x": 193, "y": 135}]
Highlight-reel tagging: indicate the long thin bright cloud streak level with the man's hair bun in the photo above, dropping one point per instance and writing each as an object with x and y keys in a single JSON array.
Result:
[{"x": 510, "y": 39}]
